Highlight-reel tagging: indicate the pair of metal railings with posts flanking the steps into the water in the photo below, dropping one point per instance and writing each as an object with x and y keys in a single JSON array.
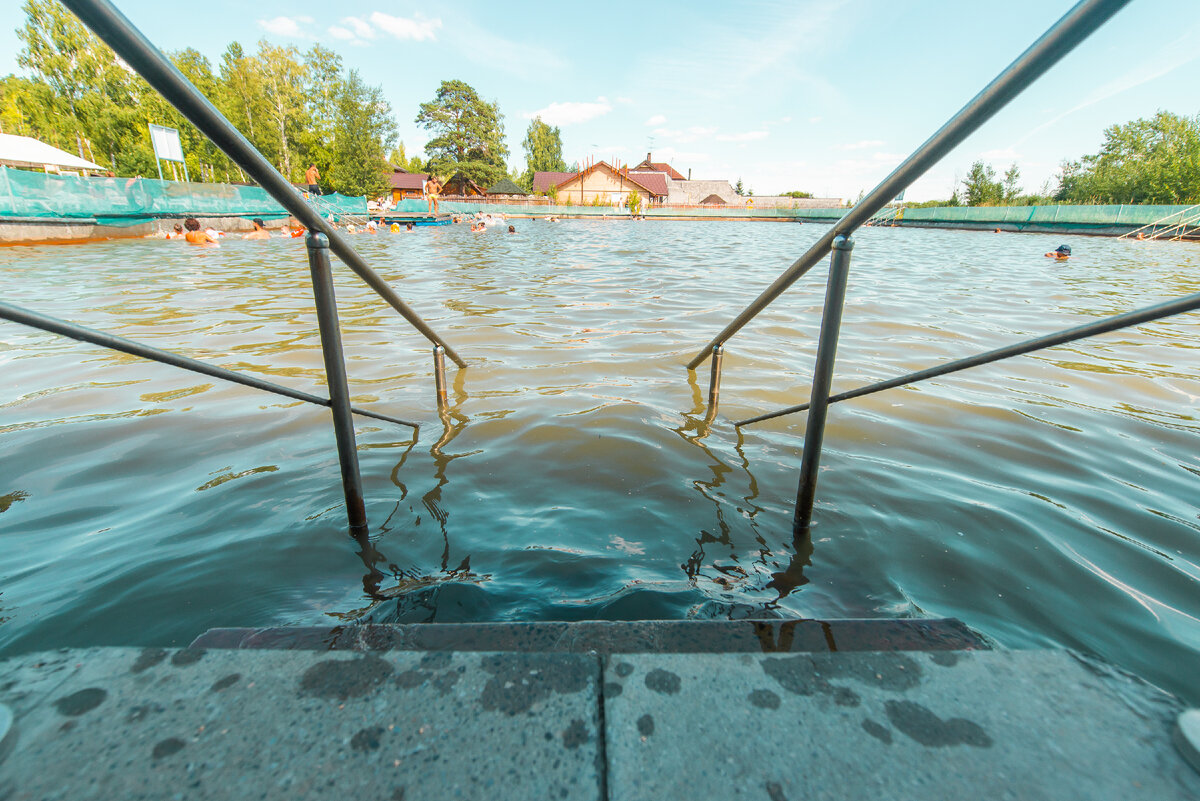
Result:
[{"x": 1081, "y": 22}]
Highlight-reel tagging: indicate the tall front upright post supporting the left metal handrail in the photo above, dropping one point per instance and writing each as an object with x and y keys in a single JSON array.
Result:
[{"x": 335, "y": 376}]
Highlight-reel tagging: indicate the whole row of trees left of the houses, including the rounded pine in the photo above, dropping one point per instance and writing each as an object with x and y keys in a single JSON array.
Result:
[{"x": 297, "y": 109}]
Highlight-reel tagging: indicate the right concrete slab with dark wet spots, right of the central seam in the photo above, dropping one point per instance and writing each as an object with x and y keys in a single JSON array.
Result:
[{"x": 985, "y": 725}]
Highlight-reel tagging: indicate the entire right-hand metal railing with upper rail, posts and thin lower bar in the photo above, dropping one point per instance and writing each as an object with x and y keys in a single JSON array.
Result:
[{"x": 1064, "y": 37}]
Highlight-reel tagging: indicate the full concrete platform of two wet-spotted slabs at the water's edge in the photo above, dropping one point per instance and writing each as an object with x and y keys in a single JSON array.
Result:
[{"x": 287, "y": 724}]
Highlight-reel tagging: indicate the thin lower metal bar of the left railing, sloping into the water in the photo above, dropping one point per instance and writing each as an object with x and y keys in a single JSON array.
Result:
[{"x": 105, "y": 340}]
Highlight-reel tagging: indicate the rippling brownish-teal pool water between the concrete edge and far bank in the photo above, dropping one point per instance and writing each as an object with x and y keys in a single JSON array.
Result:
[{"x": 1046, "y": 501}]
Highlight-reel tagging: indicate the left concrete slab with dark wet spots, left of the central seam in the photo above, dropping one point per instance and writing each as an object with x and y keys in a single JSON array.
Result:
[{"x": 287, "y": 725}]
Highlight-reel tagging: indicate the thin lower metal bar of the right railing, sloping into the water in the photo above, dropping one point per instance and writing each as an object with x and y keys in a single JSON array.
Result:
[{"x": 1148, "y": 315}]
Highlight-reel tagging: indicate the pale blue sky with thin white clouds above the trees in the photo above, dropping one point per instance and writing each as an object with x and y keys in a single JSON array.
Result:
[{"x": 825, "y": 97}]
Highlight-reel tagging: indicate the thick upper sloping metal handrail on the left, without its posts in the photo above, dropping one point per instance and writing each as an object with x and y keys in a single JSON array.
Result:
[{"x": 111, "y": 26}]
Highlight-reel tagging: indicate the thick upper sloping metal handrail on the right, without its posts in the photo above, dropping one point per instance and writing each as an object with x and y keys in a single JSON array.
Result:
[{"x": 1063, "y": 38}]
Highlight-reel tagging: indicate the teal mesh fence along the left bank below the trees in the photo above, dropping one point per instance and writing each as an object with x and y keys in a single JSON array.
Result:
[{"x": 131, "y": 201}]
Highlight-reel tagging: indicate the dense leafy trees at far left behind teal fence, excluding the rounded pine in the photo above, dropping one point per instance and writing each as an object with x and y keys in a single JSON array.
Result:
[{"x": 297, "y": 109}]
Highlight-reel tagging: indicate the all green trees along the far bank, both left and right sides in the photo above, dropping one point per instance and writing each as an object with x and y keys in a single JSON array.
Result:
[{"x": 304, "y": 109}]
